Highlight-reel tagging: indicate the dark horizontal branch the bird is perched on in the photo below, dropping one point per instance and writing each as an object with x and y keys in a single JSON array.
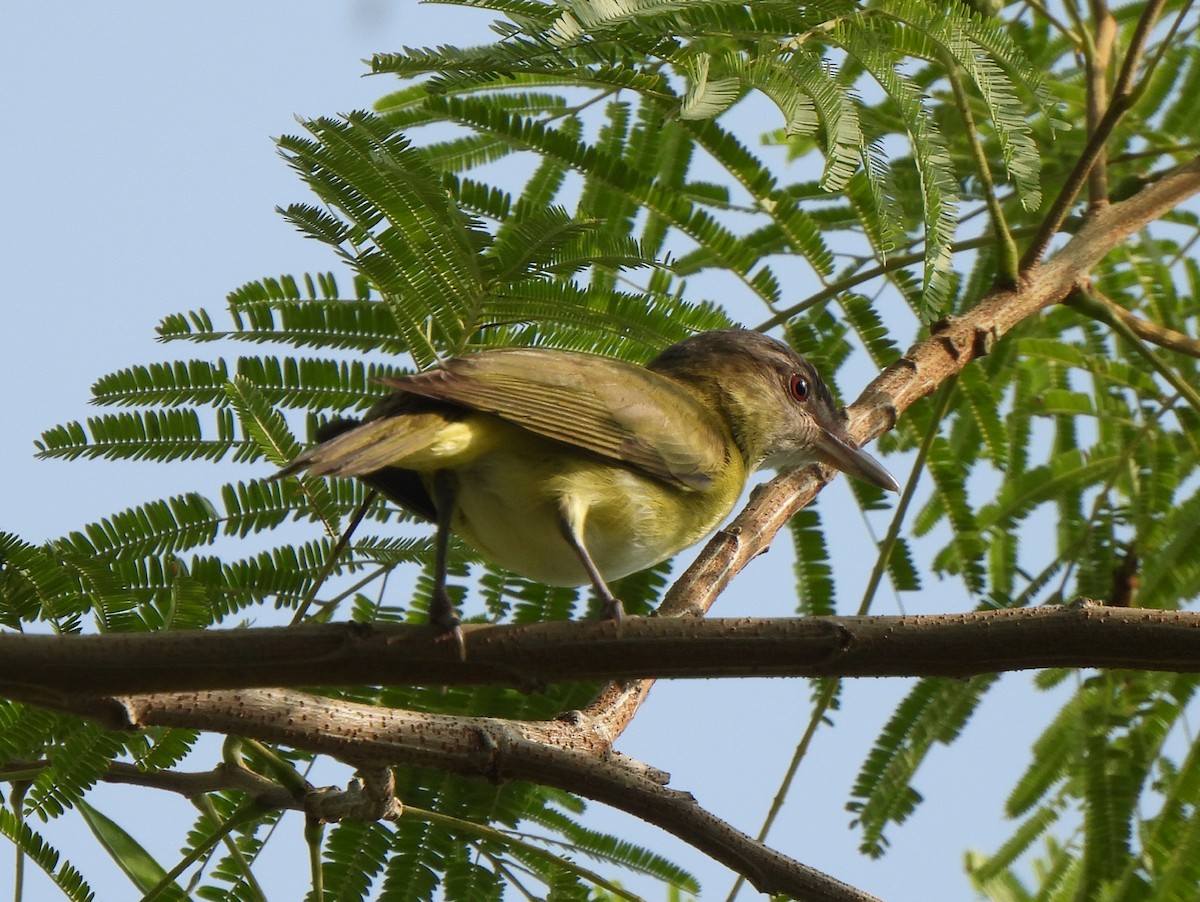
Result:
[{"x": 53, "y": 670}]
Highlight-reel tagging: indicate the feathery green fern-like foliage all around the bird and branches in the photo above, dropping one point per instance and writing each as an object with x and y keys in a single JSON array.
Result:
[{"x": 634, "y": 209}]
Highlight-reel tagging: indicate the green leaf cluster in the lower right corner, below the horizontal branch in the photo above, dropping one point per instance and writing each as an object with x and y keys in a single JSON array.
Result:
[{"x": 1102, "y": 761}]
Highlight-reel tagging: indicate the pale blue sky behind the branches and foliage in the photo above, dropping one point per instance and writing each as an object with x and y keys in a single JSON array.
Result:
[{"x": 139, "y": 179}]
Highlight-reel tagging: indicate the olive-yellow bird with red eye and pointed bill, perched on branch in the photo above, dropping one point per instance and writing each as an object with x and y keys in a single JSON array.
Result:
[{"x": 573, "y": 468}]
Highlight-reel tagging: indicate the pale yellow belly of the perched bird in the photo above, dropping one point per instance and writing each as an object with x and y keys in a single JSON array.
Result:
[{"x": 512, "y": 502}]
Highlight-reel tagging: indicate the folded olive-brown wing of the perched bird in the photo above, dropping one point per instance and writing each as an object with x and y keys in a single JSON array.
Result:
[{"x": 608, "y": 407}]
